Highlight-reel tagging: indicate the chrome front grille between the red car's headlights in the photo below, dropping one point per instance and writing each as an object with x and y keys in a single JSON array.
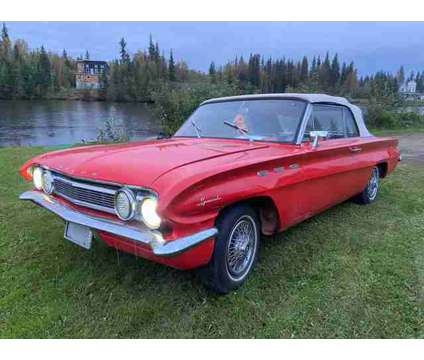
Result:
[{"x": 81, "y": 193}]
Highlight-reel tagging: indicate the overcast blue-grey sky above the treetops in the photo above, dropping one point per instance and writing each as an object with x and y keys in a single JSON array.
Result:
[{"x": 373, "y": 46}]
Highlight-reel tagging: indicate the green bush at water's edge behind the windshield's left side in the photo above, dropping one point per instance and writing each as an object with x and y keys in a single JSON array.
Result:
[{"x": 173, "y": 105}]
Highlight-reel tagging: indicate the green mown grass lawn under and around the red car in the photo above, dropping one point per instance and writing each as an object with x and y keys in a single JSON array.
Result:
[{"x": 351, "y": 272}]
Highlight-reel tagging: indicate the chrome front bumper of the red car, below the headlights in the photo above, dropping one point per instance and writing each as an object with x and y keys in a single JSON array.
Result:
[{"x": 153, "y": 238}]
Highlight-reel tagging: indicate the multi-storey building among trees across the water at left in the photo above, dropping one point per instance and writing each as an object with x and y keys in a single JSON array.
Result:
[{"x": 90, "y": 74}]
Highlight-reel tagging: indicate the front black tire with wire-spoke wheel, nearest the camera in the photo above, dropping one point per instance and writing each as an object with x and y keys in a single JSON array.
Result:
[{"x": 220, "y": 274}]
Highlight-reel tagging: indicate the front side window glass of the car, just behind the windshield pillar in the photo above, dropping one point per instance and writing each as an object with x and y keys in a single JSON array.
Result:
[{"x": 327, "y": 118}]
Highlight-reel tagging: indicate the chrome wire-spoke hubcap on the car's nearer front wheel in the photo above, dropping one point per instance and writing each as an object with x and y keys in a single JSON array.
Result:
[{"x": 241, "y": 247}]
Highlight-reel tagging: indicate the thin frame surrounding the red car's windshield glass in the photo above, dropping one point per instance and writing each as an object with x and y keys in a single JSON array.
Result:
[{"x": 295, "y": 137}]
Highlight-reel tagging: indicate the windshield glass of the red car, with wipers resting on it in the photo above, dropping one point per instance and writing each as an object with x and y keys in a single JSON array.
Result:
[{"x": 266, "y": 120}]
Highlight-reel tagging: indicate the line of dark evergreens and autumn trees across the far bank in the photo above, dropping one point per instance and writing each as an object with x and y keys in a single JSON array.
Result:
[{"x": 36, "y": 73}]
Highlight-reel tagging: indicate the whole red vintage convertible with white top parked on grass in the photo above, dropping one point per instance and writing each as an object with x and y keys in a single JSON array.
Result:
[{"x": 239, "y": 167}]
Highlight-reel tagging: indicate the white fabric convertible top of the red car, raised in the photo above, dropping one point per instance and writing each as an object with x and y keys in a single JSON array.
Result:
[{"x": 310, "y": 98}]
